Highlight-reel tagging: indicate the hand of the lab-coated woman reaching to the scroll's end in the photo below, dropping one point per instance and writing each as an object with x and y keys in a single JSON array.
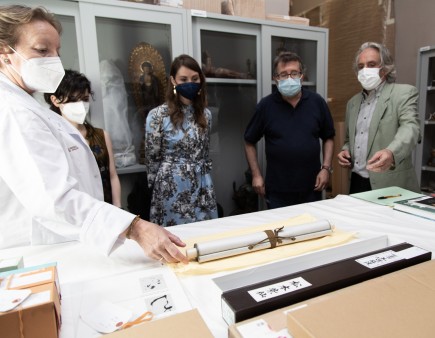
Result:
[{"x": 158, "y": 243}]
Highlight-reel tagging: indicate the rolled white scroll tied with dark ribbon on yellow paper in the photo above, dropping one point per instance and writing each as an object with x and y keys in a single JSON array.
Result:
[{"x": 232, "y": 246}]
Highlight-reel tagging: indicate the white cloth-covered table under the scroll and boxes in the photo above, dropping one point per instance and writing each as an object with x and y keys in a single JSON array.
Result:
[{"x": 77, "y": 262}]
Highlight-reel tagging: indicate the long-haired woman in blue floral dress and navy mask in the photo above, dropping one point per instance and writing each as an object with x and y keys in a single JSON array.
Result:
[{"x": 177, "y": 140}]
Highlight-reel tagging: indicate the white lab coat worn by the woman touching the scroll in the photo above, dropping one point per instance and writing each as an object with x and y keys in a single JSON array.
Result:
[{"x": 50, "y": 184}]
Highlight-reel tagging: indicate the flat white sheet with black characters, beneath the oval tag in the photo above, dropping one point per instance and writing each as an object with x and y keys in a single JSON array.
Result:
[{"x": 156, "y": 290}]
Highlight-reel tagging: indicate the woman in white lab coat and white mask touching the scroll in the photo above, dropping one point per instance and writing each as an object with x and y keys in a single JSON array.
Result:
[{"x": 50, "y": 185}]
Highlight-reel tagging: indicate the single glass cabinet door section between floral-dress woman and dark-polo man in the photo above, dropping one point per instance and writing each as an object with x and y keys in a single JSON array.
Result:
[{"x": 230, "y": 55}]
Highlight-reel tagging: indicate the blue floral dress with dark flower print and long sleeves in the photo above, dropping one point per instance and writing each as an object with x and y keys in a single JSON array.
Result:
[{"x": 178, "y": 168}]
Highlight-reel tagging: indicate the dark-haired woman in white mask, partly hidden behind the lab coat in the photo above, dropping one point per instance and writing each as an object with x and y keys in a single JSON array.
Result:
[{"x": 71, "y": 100}]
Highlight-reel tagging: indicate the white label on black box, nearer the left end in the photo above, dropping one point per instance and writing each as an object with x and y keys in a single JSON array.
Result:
[{"x": 278, "y": 289}]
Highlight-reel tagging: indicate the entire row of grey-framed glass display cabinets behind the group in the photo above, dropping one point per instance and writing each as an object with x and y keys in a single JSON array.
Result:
[{"x": 125, "y": 48}]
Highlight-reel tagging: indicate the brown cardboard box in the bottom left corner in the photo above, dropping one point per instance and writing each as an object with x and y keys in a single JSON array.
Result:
[{"x": 38, "y": 316}]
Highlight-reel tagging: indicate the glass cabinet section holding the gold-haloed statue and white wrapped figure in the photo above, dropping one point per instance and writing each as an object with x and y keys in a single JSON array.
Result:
[{"x": 128, "y": 51}]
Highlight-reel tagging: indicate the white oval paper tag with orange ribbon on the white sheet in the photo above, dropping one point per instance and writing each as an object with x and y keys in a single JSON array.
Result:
[{"x": 106, "y": 317}]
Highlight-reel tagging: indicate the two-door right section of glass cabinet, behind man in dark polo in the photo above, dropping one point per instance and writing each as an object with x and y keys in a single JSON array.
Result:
[{"x": 237, "y": 56}]
